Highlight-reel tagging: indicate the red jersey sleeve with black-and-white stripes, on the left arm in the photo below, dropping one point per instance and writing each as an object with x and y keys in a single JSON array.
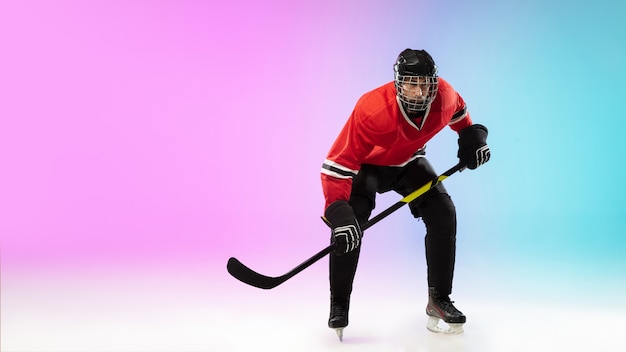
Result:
[{"x": 343, "y": 162}]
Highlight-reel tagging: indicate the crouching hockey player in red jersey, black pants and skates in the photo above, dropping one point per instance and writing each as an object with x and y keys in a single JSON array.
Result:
[{"x": 382, "y": 148}]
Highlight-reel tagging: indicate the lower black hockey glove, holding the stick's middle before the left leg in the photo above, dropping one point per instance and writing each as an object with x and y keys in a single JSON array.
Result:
[{"x": 346, "y": 233}]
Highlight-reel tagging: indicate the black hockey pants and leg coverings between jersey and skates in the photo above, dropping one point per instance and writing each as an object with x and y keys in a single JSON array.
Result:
[{"x": 435, "y": 208}]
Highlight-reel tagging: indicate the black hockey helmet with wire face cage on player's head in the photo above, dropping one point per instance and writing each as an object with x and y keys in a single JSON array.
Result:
[{"x": 415, "y": 77}]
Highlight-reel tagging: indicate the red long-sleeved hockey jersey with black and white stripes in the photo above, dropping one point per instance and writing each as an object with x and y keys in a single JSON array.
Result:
[{"x": 378, "y": 132}]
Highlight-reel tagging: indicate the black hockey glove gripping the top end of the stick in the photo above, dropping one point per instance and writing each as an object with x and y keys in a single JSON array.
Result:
[{"x": 473, "y": 148}]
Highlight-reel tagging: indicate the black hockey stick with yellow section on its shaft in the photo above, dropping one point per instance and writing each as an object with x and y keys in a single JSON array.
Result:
[{"x": 246, "y": 275}]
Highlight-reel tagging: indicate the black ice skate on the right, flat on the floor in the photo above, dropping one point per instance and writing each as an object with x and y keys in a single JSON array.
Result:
[{"x": 440, "y": 307}]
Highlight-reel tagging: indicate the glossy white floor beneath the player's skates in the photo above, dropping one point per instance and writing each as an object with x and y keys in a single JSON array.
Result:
[{"x": 168, "y": 313}]
